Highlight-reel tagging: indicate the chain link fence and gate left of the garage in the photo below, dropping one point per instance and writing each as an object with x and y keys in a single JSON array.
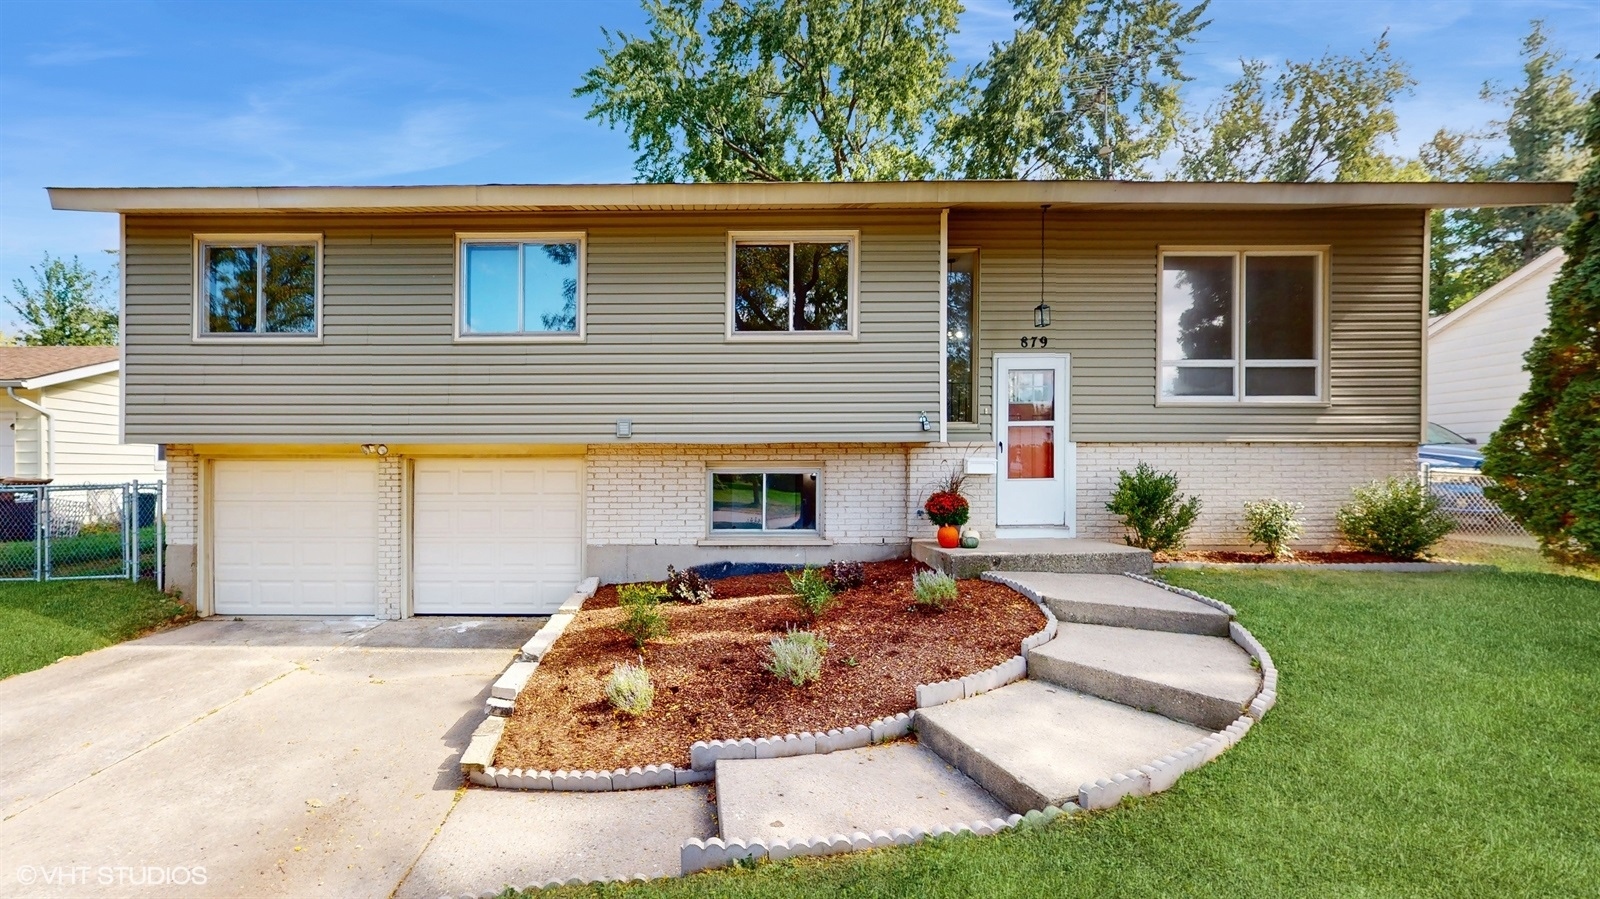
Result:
[{"x": 81, "y": 532}]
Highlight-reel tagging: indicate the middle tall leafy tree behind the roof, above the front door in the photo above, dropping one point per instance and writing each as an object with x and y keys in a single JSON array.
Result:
[{"x": 1084, "y": 89}]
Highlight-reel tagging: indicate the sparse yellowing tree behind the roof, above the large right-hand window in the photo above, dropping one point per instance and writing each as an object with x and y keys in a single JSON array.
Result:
[{"x": 1321, "y": 121}]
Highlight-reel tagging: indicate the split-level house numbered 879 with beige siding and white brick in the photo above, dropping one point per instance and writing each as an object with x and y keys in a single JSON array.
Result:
[{"x": 409, "y": 401}]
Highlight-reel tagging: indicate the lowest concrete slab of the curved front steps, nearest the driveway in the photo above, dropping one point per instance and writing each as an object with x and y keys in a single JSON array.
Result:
[{"x": 881, "y": 788}]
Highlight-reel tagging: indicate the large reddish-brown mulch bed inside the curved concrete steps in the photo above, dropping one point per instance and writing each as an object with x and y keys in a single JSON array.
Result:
[{"x": 710, "y": 679}]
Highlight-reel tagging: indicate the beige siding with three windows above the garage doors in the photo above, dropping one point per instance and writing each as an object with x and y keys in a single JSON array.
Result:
[{"x": 390, "y": 367}]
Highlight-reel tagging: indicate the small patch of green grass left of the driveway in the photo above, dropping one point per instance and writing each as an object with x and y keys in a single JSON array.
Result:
[{"x": 46, "y": 621}]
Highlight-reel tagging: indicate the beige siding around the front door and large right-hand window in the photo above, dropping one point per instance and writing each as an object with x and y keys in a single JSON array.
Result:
[{"x": 1102, "y": 286}]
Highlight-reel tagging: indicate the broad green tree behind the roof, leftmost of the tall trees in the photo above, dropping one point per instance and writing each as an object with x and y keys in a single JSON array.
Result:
[{"x": 780, "y": 90}]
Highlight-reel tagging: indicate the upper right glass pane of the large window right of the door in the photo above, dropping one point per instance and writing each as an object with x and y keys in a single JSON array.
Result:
[{"x": 1281, "y": 308}]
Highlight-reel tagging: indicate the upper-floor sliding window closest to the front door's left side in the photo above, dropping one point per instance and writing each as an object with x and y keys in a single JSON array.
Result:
[{"x": 793, "y": 286}]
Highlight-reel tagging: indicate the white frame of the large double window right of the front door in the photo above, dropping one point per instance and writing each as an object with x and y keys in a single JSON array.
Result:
[{"x": 1239, "y": 364}]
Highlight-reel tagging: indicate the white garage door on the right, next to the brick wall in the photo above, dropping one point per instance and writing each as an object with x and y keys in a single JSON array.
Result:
[{"x": 497, "y": 537}]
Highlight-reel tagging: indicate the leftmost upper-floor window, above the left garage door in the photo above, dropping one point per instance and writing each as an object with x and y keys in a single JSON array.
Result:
[{"x": 260, "y": 287}]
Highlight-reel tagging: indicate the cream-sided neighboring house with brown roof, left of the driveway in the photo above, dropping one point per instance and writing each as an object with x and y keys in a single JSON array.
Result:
[{"x": 60, "y": 418}]
